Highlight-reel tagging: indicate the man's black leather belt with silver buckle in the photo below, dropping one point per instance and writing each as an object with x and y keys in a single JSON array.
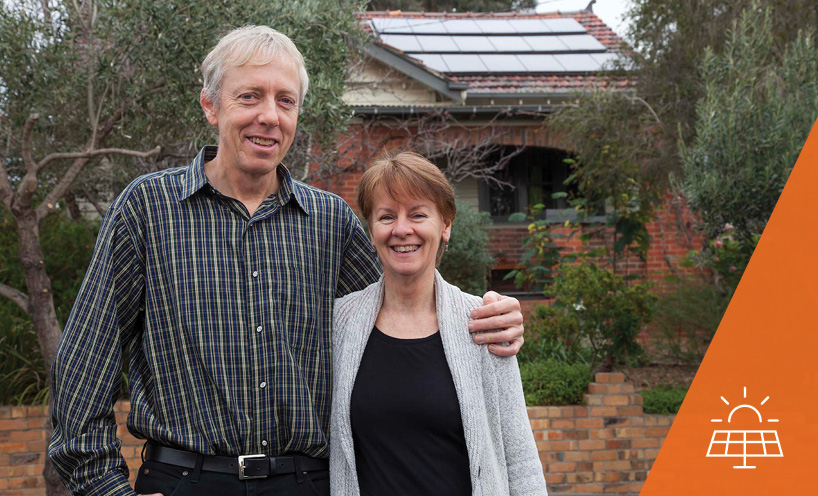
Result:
[{"x": 245, "y": 466}]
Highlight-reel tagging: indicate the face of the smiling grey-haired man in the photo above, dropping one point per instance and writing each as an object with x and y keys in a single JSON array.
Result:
[{"x": 256, "y": 115}]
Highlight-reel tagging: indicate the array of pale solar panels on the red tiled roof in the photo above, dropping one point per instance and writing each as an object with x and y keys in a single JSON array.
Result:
[{"x": 474, "y": 46}]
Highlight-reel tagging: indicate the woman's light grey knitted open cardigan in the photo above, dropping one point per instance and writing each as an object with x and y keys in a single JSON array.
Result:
[{"x": 503, "y": 457}]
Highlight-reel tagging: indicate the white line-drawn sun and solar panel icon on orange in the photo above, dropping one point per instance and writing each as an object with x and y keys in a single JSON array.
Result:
[{"x": 745, "y": 443}]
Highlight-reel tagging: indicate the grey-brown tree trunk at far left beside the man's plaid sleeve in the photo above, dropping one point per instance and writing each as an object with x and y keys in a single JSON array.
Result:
[{"x": 42, "y": 313}]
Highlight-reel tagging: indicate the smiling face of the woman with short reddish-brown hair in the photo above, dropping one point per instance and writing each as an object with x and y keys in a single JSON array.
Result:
[{"x": 406, "y": 233}]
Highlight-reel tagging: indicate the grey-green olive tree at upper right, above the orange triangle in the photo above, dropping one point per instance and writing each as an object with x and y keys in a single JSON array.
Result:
[{"x": 758, "y": 106}]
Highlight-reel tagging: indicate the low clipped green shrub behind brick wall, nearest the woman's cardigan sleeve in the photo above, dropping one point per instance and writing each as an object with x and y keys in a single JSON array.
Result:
[{"x": 550, "y": 382}]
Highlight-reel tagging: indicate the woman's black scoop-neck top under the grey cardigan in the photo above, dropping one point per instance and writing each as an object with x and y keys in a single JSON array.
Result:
[{"x": 406, "y": 422}]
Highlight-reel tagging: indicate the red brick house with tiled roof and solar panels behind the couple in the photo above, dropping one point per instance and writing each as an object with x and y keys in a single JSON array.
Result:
[{"x": 480, "y": 85}]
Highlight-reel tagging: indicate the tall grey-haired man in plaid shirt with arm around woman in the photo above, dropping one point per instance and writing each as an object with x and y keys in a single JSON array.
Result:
[{"x": 218, "y": 280}]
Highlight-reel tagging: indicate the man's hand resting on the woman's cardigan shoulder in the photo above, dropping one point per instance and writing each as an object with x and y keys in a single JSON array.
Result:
[{"x": 502, "y": 313}]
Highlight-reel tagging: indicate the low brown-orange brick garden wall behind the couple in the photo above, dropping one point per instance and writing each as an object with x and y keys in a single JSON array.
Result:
[{"x": 605, "y": 446}]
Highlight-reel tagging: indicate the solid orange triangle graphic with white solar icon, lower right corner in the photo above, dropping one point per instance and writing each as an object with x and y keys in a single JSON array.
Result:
[{"x": 767, "y": 342}]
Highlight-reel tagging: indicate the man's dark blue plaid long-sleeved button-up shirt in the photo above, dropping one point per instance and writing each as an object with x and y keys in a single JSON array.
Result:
[{"x": 224, "y": 318}]
